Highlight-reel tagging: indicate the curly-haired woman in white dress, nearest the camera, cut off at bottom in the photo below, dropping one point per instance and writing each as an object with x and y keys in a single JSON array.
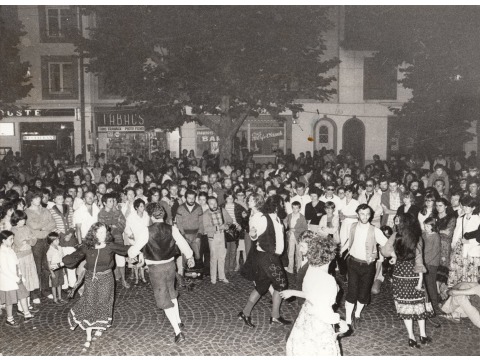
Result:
[{"x": 313, "y": 333}]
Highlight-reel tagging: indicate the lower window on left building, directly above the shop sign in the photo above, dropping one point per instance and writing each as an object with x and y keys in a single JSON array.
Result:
[{"x": 59, "y": 77}]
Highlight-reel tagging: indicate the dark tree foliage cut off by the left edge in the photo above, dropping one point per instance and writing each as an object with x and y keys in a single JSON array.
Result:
[{"x": 13, "y": 73}]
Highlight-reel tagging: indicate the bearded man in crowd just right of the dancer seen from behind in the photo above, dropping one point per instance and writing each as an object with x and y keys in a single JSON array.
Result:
[{"x": 190, "y": 223}]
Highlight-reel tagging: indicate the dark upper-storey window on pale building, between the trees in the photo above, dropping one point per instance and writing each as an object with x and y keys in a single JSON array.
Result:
[{"x": 379, "y": 80}]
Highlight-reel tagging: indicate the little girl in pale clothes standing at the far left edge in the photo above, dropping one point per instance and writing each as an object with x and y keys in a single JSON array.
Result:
[{"x": 12, "y": 288}]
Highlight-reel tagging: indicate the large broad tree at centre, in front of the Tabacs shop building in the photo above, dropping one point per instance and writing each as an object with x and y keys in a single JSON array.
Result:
[{"x": 229, "y": 61}]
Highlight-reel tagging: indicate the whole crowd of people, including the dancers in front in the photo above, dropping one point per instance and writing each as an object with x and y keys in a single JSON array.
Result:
[{"x": 321, "y": 218}]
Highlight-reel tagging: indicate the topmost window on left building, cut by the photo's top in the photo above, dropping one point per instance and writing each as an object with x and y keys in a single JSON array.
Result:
[{"x": 57, "y": 23}]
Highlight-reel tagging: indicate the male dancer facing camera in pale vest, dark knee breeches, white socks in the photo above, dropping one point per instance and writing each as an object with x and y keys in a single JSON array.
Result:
[{"x": 362, "y": 255}]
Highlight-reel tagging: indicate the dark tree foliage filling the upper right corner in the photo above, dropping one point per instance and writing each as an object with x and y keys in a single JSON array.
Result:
[{"x": 437, "y": 49}]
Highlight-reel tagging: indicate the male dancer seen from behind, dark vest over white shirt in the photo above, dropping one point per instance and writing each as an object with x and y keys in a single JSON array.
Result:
[{"x": 158, "y": 243}]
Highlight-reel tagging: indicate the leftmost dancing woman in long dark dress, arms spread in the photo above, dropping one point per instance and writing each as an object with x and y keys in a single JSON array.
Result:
[{"x": 94, "y": 310}]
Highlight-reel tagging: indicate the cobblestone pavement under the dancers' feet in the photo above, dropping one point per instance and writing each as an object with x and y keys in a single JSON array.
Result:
[{"x": 212, "y": 328}]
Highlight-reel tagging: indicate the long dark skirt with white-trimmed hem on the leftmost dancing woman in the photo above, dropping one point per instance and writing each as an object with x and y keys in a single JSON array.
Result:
[{"x": 95, "y": 307}]
